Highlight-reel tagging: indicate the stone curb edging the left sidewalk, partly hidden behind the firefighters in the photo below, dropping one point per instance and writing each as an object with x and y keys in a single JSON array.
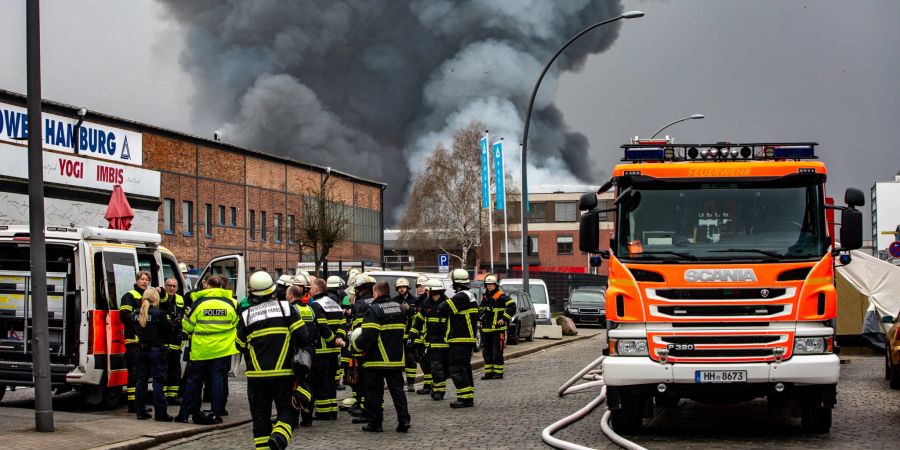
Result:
[{"x": 151, "y": 440}]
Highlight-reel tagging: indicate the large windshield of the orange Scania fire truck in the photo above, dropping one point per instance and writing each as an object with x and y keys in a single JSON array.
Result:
[{"x": 672, "y": 221}]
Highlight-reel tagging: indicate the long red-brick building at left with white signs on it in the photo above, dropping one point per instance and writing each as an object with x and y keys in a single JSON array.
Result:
[{"x": 206, "y": 198}]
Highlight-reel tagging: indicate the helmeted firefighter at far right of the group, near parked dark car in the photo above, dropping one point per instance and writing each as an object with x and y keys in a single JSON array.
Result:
[{"x": 495, "y": 312}]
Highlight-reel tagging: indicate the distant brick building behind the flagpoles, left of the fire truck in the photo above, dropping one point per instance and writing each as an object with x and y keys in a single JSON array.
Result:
[{"x": 553, "y": 224}]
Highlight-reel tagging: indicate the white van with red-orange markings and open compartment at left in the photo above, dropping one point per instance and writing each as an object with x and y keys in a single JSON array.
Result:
[{"x": 88, "y": 270}]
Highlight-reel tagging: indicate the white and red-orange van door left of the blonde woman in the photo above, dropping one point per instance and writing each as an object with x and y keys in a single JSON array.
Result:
[{"x": 115, "y": 268}]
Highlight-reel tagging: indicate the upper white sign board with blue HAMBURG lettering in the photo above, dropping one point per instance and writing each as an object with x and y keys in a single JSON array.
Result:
[{"x": 97, "y": 141}]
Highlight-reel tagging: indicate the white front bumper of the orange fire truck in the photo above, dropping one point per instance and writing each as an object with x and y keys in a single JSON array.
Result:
[{"x": 804, "y": 369}]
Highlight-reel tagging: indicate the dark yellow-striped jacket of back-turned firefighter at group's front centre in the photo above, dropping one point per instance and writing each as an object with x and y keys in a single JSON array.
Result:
[{"x": 382, "y": 335}]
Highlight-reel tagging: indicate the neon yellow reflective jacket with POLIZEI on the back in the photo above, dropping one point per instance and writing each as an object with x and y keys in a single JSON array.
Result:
[{"x": 212, "y": 324}]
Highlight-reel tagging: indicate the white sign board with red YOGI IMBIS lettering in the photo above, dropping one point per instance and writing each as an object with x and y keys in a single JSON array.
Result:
[{"x": 82, "y": 172}]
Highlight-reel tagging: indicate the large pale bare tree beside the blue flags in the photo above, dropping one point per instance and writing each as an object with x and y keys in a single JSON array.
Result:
[{"x": 443, "y": 212}]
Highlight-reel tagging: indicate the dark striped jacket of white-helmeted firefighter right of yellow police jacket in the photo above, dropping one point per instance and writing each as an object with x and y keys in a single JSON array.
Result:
[{"x": 269, "y": 333}]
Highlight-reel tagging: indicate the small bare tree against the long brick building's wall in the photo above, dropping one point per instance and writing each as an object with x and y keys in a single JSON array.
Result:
[{"x": 325, "y": 222}]
